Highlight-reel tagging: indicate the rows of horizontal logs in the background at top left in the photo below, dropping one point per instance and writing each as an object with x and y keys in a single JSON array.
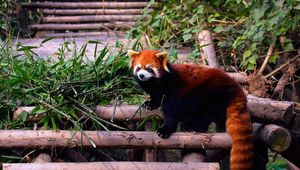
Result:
[{"x": 85, "y": 18}]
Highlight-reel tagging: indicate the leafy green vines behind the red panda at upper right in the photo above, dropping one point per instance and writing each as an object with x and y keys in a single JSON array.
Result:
[{"x": 243, "y": 30}]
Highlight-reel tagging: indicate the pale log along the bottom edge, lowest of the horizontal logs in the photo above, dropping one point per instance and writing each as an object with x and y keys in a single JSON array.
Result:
[{"x": 112, "y": 165}]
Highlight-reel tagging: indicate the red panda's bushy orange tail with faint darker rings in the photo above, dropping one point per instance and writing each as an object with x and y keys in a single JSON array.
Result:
[{"x": 239, "y": 127}]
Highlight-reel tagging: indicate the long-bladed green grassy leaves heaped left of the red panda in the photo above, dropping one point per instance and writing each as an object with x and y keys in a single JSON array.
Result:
[{"x": 66, "y": 89}]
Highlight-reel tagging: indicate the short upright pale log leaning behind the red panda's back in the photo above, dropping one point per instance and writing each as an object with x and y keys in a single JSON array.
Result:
[{"x": 207, "y": 49}]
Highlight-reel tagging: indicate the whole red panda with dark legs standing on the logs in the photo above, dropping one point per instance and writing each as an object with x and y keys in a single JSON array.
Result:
[{"x": 196, "y": 96}]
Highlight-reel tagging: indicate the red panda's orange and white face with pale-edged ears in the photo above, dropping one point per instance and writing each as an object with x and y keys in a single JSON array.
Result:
[{"x": 148, "y": 64}]
